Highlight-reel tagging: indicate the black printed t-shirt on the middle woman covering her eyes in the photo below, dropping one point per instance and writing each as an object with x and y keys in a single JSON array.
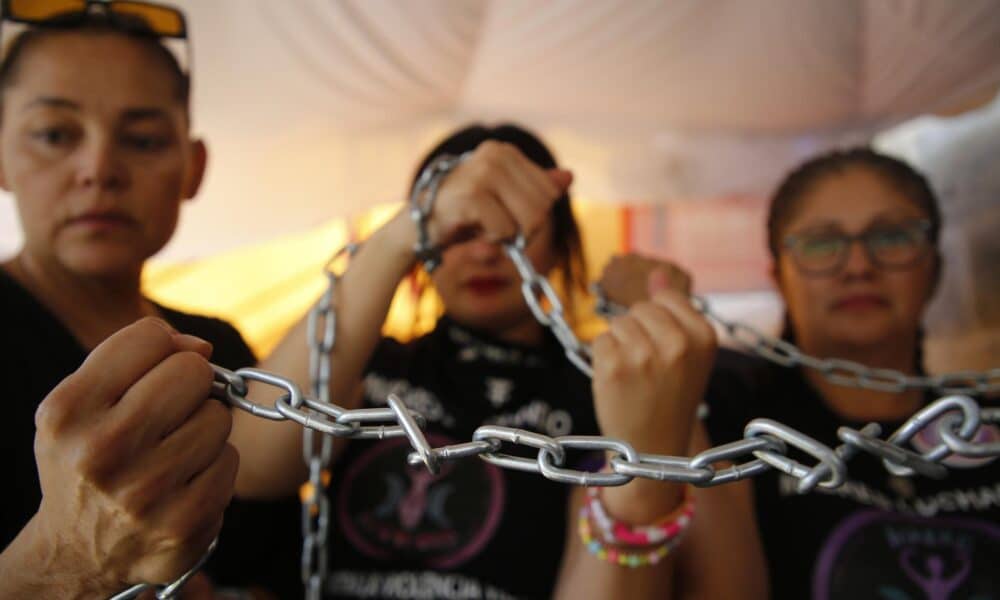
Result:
[{"x": 474, "y": 530}]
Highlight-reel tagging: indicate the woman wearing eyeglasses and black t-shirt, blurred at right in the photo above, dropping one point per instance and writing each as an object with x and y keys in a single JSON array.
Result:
[{"x": 853, "y": 236}]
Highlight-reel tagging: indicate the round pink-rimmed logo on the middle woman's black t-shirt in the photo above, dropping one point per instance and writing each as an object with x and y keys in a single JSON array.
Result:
[{"x": 392, "y": 511}]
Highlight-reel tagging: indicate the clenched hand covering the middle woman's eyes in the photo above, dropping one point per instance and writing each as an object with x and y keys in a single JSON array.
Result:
[{"x": 496, "y": 193}]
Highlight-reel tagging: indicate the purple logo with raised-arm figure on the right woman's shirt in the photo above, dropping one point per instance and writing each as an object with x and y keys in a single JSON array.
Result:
[{"x": 876, "y": 554}]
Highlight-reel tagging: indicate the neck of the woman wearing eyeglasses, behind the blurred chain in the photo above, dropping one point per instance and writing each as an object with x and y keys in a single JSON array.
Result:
[{"x": 863, "y": 404}]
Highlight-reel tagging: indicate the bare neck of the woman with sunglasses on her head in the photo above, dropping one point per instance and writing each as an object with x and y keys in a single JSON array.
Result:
[{"x": 92, "y": 308}]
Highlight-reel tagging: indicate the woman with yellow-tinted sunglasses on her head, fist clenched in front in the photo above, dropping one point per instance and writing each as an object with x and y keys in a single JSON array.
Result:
[{"x": 133, "y": 465}]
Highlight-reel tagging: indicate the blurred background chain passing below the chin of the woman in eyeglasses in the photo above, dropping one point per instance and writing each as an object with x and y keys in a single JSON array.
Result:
[{"x": 838, "y": 371}]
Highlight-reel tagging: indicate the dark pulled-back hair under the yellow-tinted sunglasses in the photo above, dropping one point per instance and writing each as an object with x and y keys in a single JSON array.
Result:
[{"x": 95, "y": 24}]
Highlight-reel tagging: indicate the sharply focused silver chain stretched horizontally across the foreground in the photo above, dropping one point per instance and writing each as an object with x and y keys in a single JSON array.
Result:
[{"x": 765, "y": 445}]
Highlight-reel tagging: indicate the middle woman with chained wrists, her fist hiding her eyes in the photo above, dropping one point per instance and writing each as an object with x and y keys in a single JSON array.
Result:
[{"x": 473, "y": 530}]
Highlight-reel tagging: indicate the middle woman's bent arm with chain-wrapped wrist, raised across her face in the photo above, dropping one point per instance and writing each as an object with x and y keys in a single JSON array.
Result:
[{"x": 492, "y": 194}]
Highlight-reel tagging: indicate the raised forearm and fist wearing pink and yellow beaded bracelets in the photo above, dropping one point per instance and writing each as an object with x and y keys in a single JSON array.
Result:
[{"x": 650, "y": 372}]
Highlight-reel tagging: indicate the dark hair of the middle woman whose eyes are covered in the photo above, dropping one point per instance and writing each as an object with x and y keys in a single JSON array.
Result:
[{"x": 566, "y": 240}]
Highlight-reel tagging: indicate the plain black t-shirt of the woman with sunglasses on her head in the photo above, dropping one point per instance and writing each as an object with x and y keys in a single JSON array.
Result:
[{"x": 259, "y": 543}]
